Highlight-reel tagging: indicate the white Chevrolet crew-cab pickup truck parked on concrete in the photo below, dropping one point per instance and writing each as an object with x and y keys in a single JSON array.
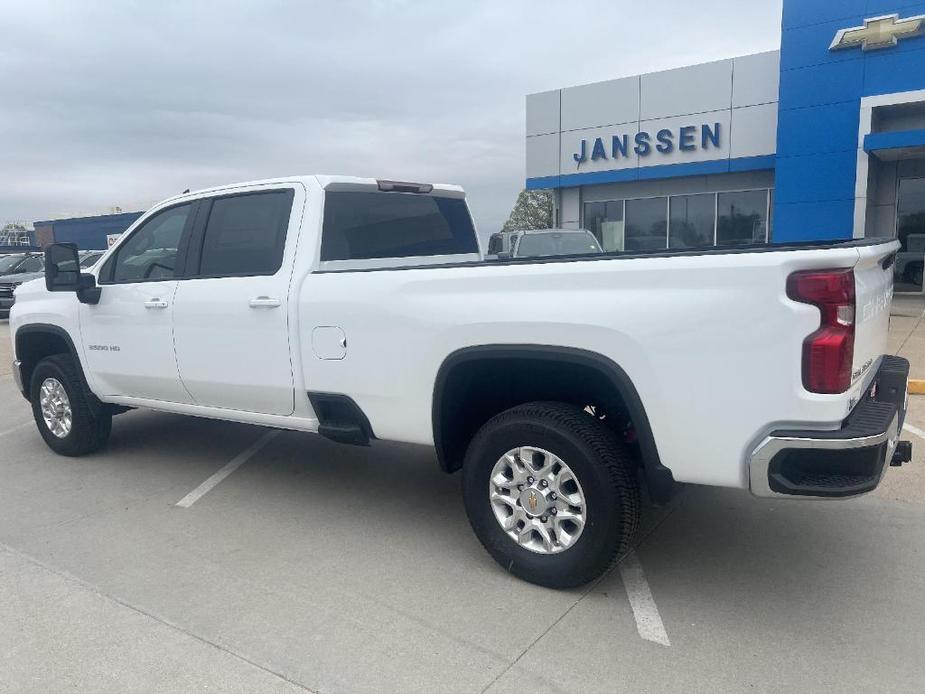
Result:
[{"x": 361, "y": 309}]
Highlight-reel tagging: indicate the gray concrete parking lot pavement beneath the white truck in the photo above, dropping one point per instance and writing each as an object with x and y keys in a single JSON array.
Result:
[{"x": 316, "y": 567}]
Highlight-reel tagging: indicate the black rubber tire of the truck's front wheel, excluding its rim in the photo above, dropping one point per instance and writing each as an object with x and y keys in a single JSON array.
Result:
[{"x": 90, "y": 421}]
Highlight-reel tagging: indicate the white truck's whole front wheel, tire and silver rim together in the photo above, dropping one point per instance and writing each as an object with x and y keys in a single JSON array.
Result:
[{"x": 67, "y": 419}]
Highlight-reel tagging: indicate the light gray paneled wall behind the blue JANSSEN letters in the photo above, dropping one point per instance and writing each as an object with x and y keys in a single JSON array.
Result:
[{"x": 690, "y": 96}]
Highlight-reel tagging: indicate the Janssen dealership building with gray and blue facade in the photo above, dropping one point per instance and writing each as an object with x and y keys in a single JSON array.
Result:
[{"x": 821, "y": 140}]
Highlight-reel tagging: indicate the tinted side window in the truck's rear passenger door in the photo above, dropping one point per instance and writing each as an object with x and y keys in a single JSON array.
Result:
[{"x": 245, "y": 235}]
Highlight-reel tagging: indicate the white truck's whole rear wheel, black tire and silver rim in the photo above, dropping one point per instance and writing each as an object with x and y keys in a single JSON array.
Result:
[{"x": 551, "y": 493}]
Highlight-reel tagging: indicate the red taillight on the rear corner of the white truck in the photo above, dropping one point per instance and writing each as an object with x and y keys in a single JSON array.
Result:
[{"x": 828, "y": 352}]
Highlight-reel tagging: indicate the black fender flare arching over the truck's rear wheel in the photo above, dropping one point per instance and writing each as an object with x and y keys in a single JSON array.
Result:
[{"x": 658, "y": 477}]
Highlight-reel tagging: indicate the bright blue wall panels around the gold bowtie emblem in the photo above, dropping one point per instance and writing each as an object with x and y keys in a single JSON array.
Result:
[{"x": 820, "y": 103}]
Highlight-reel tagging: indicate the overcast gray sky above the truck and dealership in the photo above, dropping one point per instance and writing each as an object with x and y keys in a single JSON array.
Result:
[{"x": 127, "y": 103}]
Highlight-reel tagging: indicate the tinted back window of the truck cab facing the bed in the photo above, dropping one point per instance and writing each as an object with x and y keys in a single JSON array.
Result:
[{"x": 361, "y": 225}]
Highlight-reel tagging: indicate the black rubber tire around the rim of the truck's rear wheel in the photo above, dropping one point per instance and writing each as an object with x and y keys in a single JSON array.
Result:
[{"x": 602, "y": 466}]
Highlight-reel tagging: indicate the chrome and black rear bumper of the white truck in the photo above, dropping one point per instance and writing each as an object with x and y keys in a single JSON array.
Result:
[{"x": 845, "y": 462}]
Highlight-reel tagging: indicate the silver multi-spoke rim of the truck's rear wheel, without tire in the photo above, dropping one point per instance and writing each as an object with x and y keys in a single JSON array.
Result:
[{"x": 537, "y": 500}]
